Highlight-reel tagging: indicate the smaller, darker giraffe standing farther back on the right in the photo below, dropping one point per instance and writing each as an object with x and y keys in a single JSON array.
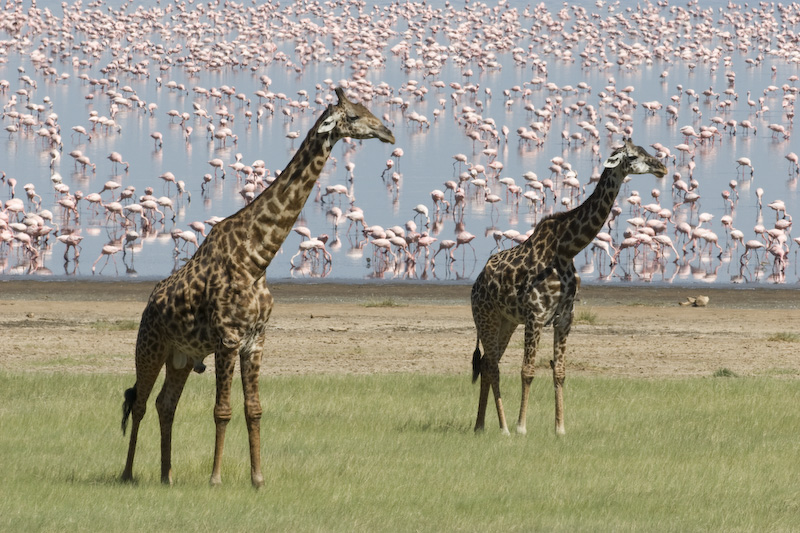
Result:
[{"x": 535, "y": 283}]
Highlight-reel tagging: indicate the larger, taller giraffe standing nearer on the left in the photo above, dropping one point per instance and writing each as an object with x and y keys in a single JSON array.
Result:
[{"x": 219, "y": 301}]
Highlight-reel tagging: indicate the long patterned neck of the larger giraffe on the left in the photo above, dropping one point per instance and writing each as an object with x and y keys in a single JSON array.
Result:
[{"x": 264, "y": 224}]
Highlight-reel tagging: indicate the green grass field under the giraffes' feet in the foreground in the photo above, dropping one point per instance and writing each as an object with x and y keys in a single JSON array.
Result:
[{"x": 397, "y": 452}]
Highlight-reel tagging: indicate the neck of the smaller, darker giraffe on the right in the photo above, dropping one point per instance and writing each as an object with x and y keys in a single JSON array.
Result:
[{"x": 578, "y": 227}]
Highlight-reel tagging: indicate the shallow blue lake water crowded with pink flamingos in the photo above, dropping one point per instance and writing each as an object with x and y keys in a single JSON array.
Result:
[{"x": 504, "y": 114}]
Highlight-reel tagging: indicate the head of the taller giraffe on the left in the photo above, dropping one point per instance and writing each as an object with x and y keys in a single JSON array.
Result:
[{"x": 349, "y": 119}]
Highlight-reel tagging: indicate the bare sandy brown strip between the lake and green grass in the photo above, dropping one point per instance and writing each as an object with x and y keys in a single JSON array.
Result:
[{"x": 340, "y": 328}]
